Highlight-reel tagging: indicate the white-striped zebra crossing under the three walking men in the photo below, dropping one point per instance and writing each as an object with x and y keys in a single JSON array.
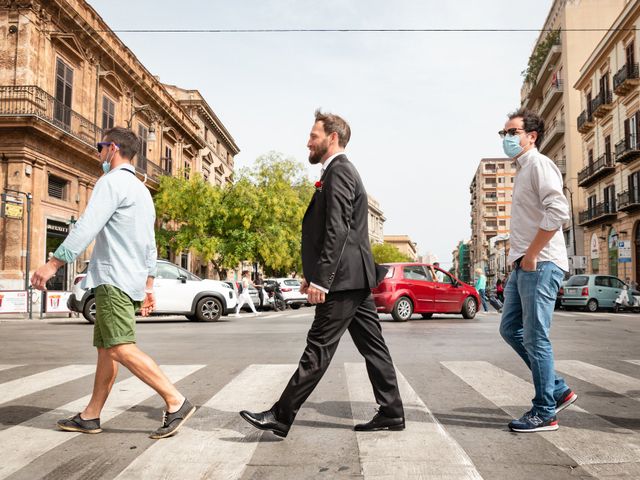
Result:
[{"x": 218, "y": 444}]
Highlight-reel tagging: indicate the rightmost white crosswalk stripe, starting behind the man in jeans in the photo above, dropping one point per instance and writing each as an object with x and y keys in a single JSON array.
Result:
[{"x": 607, "y": 379}]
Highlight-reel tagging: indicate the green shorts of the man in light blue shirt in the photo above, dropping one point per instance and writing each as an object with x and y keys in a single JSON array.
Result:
[{"x": 115, "y": 317}]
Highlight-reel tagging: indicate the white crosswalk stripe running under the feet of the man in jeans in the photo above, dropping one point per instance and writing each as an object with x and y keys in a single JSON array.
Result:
[{"x": 600, "y": 447}]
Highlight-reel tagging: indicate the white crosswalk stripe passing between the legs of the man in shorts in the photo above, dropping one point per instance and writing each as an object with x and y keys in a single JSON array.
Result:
[{"x": 22, "y": 444}]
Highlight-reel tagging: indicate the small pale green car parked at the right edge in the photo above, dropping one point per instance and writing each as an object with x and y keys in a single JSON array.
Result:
[{"x": 591, "y": 292}]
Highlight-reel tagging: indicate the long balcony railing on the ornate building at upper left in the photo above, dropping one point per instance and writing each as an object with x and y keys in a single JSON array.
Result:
[{"x": 32, "y": 101}]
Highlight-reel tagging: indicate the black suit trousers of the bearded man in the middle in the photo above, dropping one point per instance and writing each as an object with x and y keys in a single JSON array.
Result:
[{"x": 352, "y": 310}]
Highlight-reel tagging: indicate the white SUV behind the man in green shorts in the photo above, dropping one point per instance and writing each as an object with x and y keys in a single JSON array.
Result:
[{"x": 177, "y": 292}]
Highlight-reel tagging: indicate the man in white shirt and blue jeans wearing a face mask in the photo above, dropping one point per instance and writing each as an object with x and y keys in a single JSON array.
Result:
[{"x": 538, "y": 253}]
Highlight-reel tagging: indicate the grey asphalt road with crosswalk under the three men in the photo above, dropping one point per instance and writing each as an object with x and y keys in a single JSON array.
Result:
[{"x": 460, "y": 383}]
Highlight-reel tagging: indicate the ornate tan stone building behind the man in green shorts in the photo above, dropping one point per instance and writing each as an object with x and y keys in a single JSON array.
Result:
[{"x": 65, "y": 77}]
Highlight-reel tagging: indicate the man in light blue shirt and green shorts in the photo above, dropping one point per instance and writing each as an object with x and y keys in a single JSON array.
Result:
[{"x": 120, "y": 217}]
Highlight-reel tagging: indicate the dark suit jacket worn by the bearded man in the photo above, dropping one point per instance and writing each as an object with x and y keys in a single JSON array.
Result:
[{"x": 336, "y": 253}]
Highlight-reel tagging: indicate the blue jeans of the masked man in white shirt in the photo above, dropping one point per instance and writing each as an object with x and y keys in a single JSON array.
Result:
[{"x": 529, "y": 300}]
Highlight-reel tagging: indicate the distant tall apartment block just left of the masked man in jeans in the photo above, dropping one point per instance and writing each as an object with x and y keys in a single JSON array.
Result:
[{"x": 491, "y": 191}]
